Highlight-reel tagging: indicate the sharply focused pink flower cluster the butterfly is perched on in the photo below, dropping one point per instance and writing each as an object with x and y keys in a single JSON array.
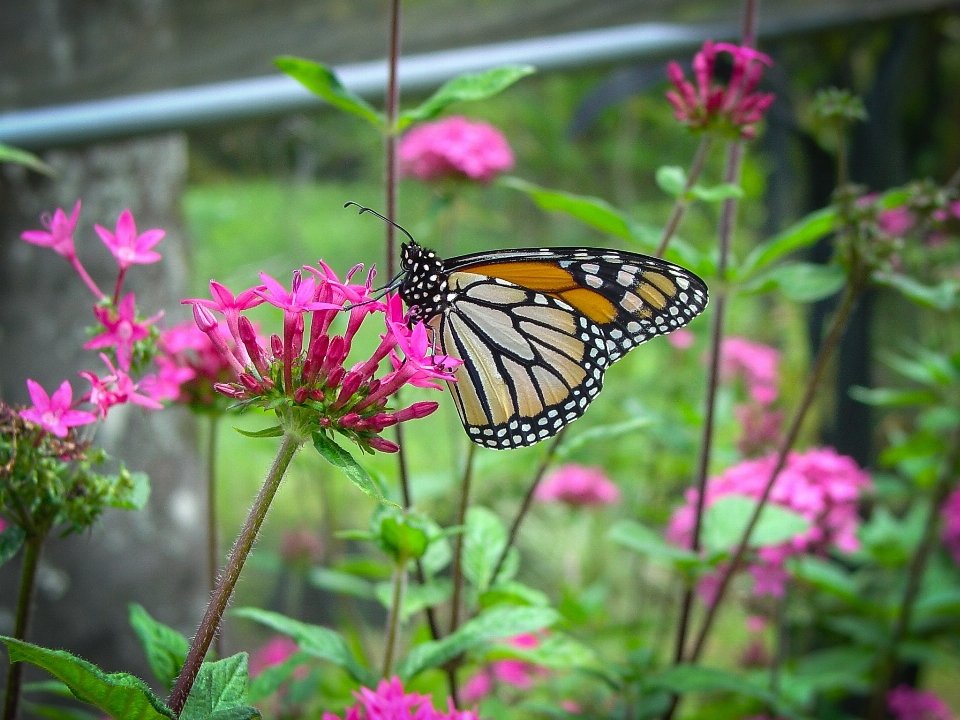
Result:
[{"x": 302, "y": 373}]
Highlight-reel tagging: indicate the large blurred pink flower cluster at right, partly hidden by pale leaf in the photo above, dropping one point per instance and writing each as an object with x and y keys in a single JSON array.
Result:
[{"x": 819, "y": 484}]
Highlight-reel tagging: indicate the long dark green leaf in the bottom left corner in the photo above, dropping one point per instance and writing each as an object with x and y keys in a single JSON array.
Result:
[{"x": 119, "y": 695}]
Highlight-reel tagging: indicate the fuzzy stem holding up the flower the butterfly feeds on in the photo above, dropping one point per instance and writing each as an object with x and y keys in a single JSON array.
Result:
[{"x": 228, "y": 579}]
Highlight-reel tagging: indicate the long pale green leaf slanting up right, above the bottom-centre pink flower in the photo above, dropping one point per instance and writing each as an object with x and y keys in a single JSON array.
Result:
[{"x": 495, "y": 624}]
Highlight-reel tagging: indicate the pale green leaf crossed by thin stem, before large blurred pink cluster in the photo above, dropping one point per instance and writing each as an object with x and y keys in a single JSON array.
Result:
[{"x": 725, "y": 521}]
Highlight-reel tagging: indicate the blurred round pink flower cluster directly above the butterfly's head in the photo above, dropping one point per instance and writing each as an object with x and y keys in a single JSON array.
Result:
[{"x": 454, "y": 148}]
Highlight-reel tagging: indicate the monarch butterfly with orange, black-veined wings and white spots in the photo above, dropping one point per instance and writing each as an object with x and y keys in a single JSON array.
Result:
[{"x": 537, "y": 328}]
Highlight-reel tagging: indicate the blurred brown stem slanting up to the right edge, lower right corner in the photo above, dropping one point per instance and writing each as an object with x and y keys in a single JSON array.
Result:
[{"x": 918, "y": 565}]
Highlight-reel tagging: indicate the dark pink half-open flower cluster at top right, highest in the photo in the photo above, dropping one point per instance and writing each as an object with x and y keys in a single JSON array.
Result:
[{"x": 734, "y": 108}]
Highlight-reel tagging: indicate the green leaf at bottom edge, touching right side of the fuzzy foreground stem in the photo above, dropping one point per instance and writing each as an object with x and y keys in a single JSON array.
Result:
[{"x": 220, "y": 692}]
